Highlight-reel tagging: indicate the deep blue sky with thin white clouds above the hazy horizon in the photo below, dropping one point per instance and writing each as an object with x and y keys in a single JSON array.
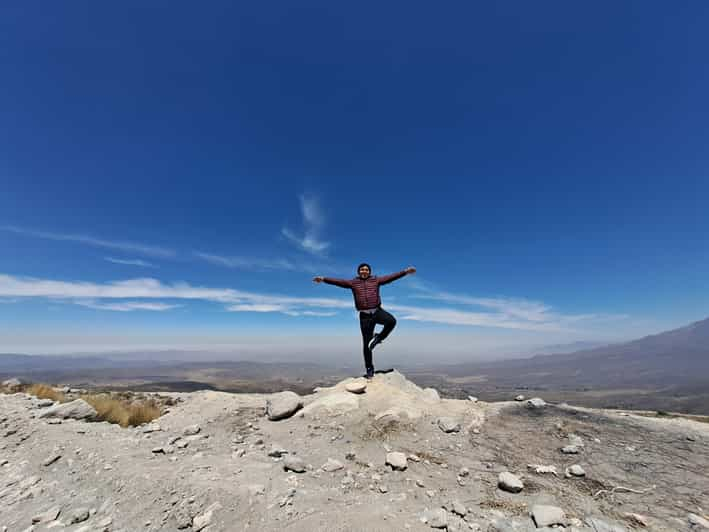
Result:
[{"x": 173, "y": 176}]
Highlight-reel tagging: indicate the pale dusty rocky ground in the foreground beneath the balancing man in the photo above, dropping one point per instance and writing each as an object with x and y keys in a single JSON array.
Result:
[{"x": 393, "y": 457}]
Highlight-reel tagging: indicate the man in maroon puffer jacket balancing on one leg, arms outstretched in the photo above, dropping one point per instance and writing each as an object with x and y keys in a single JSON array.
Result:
[{"x": 365, "y": 289}]
